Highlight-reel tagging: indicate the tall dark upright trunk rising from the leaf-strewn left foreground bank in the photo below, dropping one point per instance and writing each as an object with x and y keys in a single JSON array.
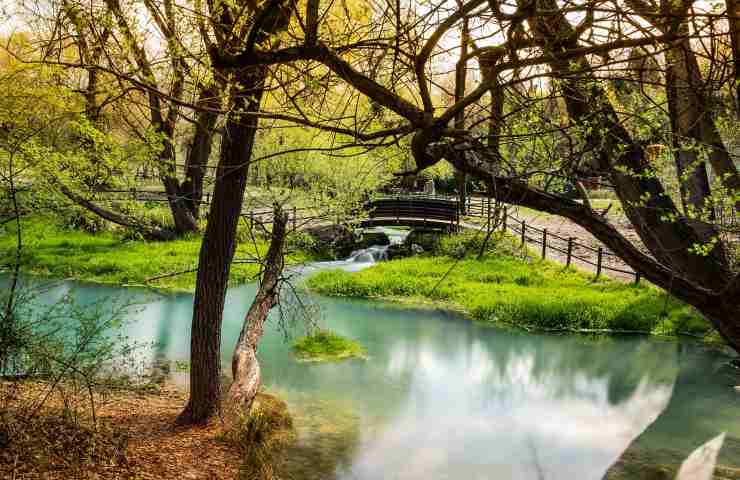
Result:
[{"x": 217, "y": 249}]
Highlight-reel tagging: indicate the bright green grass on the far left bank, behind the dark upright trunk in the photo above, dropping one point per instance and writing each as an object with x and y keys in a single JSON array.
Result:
[{"x": 105, "y": 257}]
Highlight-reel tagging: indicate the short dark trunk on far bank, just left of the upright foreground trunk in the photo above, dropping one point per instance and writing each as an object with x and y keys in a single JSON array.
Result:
[{"x": 200, "y": 148}]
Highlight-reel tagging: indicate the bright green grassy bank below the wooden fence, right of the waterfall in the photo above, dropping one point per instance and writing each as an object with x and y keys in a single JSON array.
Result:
[{"x": 503, "y": 287}]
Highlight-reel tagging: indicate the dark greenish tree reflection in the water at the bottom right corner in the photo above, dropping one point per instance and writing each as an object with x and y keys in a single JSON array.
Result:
[{"x": 703, "y": 404}]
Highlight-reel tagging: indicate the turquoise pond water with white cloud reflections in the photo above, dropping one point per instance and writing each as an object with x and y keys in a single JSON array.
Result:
[{"x": 441, "y": 397}]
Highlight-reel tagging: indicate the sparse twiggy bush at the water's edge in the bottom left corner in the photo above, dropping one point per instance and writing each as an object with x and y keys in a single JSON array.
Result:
[{"x": 68, "y": 356}]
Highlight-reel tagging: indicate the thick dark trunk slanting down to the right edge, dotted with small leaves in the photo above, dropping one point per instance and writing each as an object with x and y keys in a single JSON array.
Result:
[{"x": 643, "y": 197}]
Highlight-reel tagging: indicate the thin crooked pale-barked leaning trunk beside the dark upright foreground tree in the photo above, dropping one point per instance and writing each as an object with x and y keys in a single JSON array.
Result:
[{"x": 245, "y": 367}]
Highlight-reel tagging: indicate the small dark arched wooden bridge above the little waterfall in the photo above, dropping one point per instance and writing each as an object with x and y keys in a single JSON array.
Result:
[{"x": 411, "y": 211}]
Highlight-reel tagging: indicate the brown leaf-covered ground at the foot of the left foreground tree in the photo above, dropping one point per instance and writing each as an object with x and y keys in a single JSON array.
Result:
[{"x": 136, "y": 438}]
